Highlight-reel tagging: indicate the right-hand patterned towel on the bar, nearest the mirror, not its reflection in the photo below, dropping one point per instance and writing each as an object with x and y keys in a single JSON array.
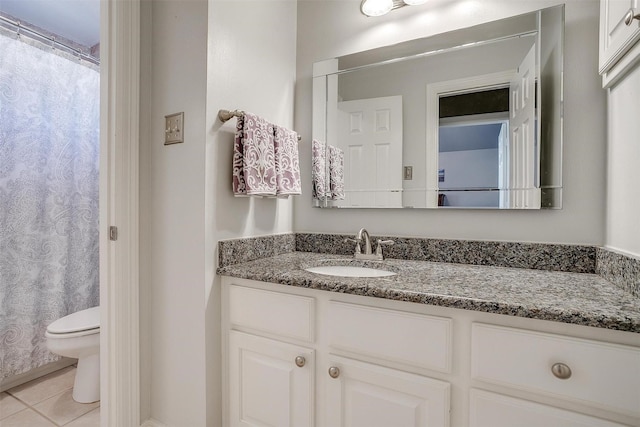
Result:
[{"x": 287, "y": 162}]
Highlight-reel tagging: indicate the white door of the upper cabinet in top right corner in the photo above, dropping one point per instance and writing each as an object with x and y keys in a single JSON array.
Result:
[{"x": 616, "y": 38}]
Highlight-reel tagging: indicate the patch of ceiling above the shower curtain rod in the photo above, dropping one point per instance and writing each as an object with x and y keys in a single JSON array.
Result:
[{"x": 76, "y": 20}]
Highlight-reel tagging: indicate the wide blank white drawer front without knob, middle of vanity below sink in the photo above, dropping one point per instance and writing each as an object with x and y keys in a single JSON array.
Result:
[{"x": 408, "y": 338}]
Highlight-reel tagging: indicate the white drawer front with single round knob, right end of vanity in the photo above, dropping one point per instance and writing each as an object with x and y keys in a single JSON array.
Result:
[{"x": 602, "y": 374}]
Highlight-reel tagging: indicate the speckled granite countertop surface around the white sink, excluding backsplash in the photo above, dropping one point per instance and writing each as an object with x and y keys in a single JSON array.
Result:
[{"x": 577, "y": 298}]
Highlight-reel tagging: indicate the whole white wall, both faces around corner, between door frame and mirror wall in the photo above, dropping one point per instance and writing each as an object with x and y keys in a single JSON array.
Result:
[{"x": 200, "y": 56}]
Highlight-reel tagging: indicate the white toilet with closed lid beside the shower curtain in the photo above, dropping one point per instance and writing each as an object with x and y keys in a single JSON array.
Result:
[{"x": 78, "y": 336}]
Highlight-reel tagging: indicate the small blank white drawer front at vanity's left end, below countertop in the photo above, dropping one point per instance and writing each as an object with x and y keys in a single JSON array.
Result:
[{"x": 289, "y": 316}]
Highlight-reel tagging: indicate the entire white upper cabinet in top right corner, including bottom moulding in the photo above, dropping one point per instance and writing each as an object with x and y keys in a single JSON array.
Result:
[{"x": 619, "y": 34}]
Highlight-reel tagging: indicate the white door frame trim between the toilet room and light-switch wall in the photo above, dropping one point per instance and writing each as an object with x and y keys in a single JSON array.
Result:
[{"x": 119, "y": 204}]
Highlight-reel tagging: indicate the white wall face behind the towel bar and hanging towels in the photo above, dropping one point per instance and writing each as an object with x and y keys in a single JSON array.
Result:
[{"x": 251, "y": 66}]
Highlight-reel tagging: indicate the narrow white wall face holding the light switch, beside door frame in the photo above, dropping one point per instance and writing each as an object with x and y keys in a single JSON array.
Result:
[{"x": 173, "y": 197}]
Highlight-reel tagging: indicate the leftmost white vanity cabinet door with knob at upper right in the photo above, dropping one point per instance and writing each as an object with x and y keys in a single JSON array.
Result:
[{"x": 267, "y": 387}]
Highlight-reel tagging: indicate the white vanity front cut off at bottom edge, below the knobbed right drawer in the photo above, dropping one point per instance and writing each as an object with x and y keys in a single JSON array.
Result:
[{"x": 495, "y": 410}]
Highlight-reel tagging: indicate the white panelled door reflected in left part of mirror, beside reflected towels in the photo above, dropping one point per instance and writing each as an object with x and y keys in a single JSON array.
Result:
[{"x": 370, "y": 134}]
